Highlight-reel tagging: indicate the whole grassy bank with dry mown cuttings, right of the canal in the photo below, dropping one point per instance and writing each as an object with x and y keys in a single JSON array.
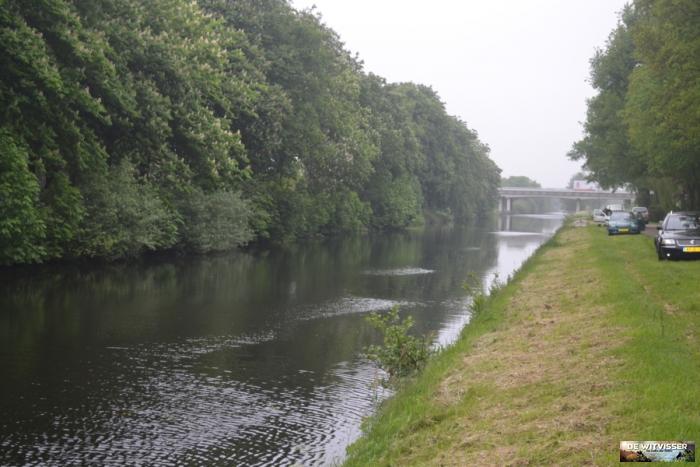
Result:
[{"x": 594, "y": 341}]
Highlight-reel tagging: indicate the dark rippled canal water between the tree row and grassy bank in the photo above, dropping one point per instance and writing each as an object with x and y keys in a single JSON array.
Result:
[{"x": 235, "y": 359}]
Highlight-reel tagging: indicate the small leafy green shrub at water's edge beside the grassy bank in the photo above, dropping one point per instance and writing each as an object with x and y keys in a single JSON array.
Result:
[{"x": 401, "y": 354}]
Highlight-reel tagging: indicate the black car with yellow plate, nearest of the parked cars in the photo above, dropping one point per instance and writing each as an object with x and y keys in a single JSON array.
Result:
[{"x": 679, "y": 236}]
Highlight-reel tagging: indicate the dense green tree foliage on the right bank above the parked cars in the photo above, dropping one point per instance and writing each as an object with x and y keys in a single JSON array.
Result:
[{"x": 643, "y": 126}]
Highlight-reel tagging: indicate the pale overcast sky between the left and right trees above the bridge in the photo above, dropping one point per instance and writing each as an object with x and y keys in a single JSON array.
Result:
[{"x": 515, "y": 70}]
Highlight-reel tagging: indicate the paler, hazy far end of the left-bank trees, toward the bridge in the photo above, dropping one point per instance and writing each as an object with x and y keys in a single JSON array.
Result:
[{"x": 427, "y": 159}]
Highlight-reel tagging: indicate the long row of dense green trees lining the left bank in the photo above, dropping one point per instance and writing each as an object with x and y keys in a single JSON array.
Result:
[{"x": 129, "y": 126}]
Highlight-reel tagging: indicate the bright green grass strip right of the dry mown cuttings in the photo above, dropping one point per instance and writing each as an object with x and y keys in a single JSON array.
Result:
[{"x": 659, "y": 303}]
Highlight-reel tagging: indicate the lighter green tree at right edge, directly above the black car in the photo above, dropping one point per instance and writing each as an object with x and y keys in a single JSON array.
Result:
[{"x": 664, "y": 93}]
